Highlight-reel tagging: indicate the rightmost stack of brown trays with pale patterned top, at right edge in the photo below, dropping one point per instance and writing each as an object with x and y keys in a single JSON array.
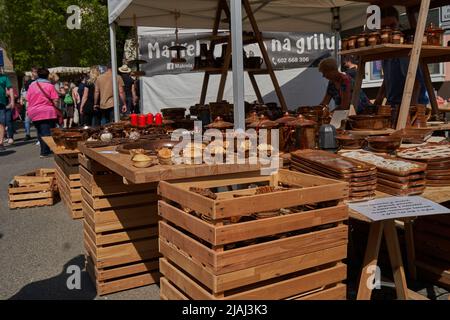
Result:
[{"x": 437, "y": 159}]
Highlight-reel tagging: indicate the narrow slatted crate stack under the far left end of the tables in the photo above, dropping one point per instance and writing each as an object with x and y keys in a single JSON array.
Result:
[{"x": 69, "y": 185}]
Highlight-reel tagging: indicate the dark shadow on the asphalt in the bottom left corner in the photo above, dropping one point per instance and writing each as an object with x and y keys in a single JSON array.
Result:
[{"x": 56, "y": 288}]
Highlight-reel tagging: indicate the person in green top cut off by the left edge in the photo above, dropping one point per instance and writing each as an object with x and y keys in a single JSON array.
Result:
[{"x": 7, "y": 103}]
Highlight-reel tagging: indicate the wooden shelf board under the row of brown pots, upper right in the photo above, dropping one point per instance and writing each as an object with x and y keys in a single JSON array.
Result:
[{"x": 429, "y": 54}]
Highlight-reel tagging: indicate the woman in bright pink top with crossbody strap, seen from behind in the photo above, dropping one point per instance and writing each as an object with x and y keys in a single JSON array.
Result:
[{"x": 42, "y": 101}]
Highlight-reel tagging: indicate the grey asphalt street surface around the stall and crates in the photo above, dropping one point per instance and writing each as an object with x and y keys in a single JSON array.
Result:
[{"x": 38, "y": 245}]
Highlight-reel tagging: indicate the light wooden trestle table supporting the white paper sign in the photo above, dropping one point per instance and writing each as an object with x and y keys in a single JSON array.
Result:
[{"x": 388, "y": 228}]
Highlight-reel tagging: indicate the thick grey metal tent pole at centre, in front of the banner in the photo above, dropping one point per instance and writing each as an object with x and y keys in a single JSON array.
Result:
[{"x": 238, "y": 64}]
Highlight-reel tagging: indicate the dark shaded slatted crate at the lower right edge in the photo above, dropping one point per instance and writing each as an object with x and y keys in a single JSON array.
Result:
[{"x": 432, "y": 243}]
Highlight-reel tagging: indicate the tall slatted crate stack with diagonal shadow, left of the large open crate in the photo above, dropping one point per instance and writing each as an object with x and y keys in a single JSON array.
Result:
[{"x": 120, "y": 230}]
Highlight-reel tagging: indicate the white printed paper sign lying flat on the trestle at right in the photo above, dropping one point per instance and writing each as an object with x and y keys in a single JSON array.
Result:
[{"x": 398, "y": 207}]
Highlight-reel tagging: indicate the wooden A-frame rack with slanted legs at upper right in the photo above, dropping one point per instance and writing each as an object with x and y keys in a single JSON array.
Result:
[{"x": 418, "y": 53}]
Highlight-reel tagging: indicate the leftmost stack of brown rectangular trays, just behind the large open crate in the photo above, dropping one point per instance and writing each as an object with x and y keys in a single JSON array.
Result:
[{"x": 362, "y": 178}]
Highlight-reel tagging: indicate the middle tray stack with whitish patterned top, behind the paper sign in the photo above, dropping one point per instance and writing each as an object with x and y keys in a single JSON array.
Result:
[{"x": 395, "y": 176}]
